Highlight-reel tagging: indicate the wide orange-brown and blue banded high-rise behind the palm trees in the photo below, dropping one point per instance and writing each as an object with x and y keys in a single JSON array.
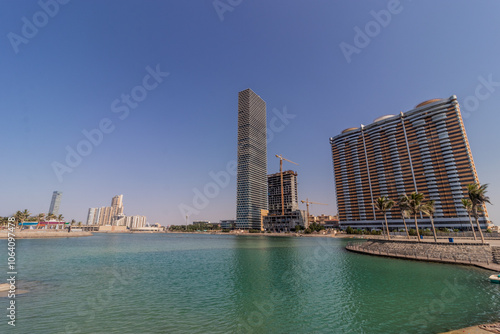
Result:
[{"x": 424, "y": 150}]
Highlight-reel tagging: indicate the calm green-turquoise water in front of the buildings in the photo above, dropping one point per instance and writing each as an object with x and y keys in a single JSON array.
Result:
[{"x": 157, "y": 283}]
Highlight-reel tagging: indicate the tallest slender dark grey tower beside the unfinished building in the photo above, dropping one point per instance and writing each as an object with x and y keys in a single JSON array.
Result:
[{"x": 251, "y": 195}]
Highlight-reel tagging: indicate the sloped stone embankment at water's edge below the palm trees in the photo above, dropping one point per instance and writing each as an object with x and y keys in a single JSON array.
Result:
[{"x": 481, "y": 255}]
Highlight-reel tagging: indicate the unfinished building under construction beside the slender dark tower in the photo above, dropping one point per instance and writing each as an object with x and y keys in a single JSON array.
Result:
[{"x": 284, "y": 214}]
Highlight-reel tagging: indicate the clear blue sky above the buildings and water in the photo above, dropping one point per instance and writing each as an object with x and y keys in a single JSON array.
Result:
[{"x": 80, "y": 68}]
